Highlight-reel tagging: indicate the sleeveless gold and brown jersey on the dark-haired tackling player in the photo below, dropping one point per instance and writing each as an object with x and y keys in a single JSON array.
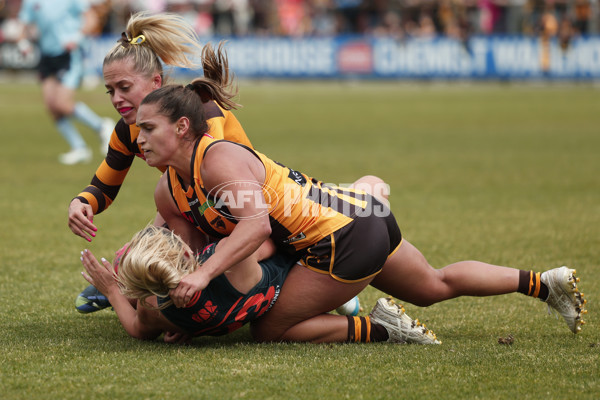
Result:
[{"x": 301, "y": 210}]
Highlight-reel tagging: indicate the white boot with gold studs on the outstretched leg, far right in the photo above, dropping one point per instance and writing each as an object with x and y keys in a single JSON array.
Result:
[{"x": 564, "y": 296}]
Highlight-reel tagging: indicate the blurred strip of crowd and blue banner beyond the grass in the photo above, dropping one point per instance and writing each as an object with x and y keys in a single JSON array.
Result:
[{"x": 356, "y": 39}]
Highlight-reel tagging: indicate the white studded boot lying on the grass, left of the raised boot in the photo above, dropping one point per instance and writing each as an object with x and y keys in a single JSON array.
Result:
[{"x": 400, "y": 327}]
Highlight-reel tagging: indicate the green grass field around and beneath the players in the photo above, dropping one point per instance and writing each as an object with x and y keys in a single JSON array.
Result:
[{"x": 504, "y": 174}]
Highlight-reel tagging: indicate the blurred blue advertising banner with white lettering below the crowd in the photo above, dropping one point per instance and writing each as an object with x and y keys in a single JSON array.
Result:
[{"x": 360, "y": 57}]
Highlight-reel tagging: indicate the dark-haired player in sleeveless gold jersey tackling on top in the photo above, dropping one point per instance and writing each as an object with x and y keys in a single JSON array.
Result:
[{"x": 223, "y": 189}]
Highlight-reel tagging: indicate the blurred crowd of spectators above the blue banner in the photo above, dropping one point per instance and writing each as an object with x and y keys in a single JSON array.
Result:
[{"x": 393, "y": 18}]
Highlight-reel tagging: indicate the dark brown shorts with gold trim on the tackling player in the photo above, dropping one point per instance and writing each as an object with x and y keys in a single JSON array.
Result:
[{"x": 358, "y": 250}]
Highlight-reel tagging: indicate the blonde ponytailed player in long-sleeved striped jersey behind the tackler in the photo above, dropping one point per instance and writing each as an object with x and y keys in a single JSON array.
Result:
[{"x": 131, "y": 70}]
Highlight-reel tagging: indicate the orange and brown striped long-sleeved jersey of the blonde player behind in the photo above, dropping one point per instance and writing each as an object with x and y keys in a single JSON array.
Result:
[{"x": 123, "y": 149}]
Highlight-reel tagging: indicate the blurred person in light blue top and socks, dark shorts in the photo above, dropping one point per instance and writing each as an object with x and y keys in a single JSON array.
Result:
[{"x": 59, "y": 25}]
